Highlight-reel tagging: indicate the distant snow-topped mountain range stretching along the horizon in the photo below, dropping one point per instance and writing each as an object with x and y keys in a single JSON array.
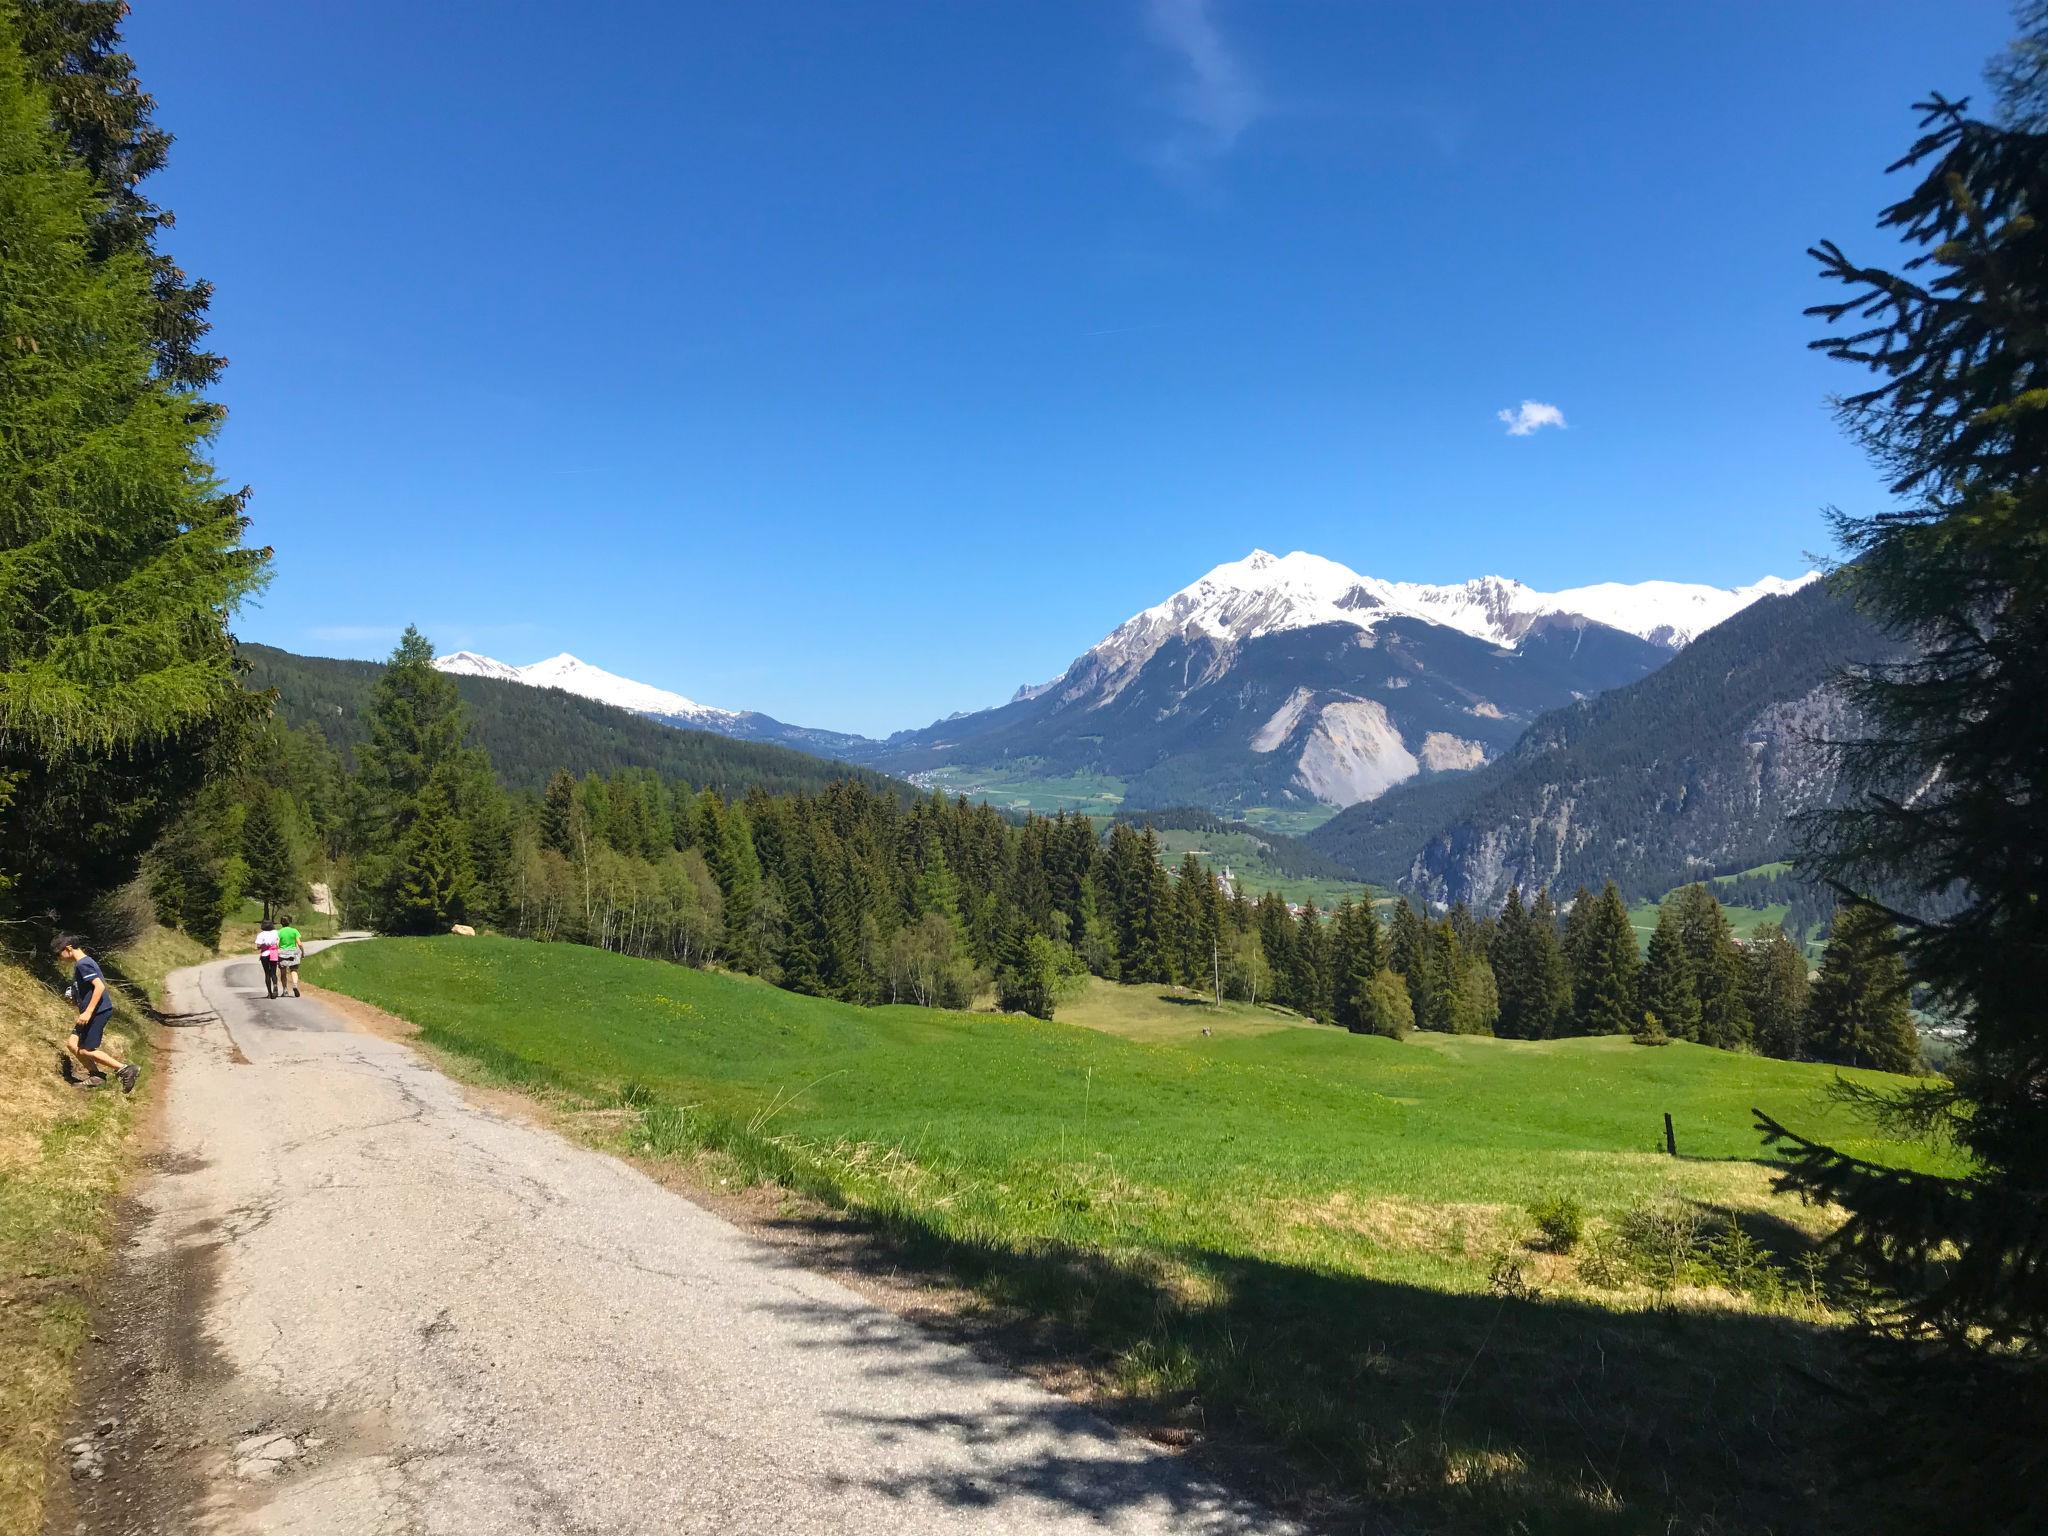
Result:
[{"x": 1269, "y": 683}]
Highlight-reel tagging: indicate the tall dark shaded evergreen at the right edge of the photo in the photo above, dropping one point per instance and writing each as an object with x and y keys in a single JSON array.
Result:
[{"x": 1949, "y": 810}]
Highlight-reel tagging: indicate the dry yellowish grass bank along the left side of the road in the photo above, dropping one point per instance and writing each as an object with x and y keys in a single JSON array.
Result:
[{"x": 60, "y": 1168}]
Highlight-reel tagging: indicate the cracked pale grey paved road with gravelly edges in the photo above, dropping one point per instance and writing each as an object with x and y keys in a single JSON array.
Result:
[{"x": 409, "y": 1314}]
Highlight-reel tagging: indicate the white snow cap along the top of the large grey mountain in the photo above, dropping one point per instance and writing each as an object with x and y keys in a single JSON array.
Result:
[{"x": 1263, "y": 595}]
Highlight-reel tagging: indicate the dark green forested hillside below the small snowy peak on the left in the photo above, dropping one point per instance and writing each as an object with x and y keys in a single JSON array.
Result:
[{"x": 536, "y": 732}]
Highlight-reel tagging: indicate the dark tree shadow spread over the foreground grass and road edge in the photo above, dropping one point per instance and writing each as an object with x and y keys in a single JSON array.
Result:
[{"x": 1371, "y": 1406}]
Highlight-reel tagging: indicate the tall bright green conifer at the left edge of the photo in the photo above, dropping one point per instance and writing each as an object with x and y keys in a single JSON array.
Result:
[{"x": 122, "y": 564}]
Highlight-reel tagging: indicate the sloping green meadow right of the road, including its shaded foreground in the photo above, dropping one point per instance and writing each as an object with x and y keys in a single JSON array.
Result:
[{"x": 1277, "y": 1232}]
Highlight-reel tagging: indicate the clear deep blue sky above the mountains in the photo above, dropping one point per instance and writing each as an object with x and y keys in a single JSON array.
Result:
[{"x": 863, "y": 361}]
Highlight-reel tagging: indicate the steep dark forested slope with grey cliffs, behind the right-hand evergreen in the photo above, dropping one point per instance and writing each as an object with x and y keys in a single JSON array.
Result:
[{"x": 1699, "y": 769}]
